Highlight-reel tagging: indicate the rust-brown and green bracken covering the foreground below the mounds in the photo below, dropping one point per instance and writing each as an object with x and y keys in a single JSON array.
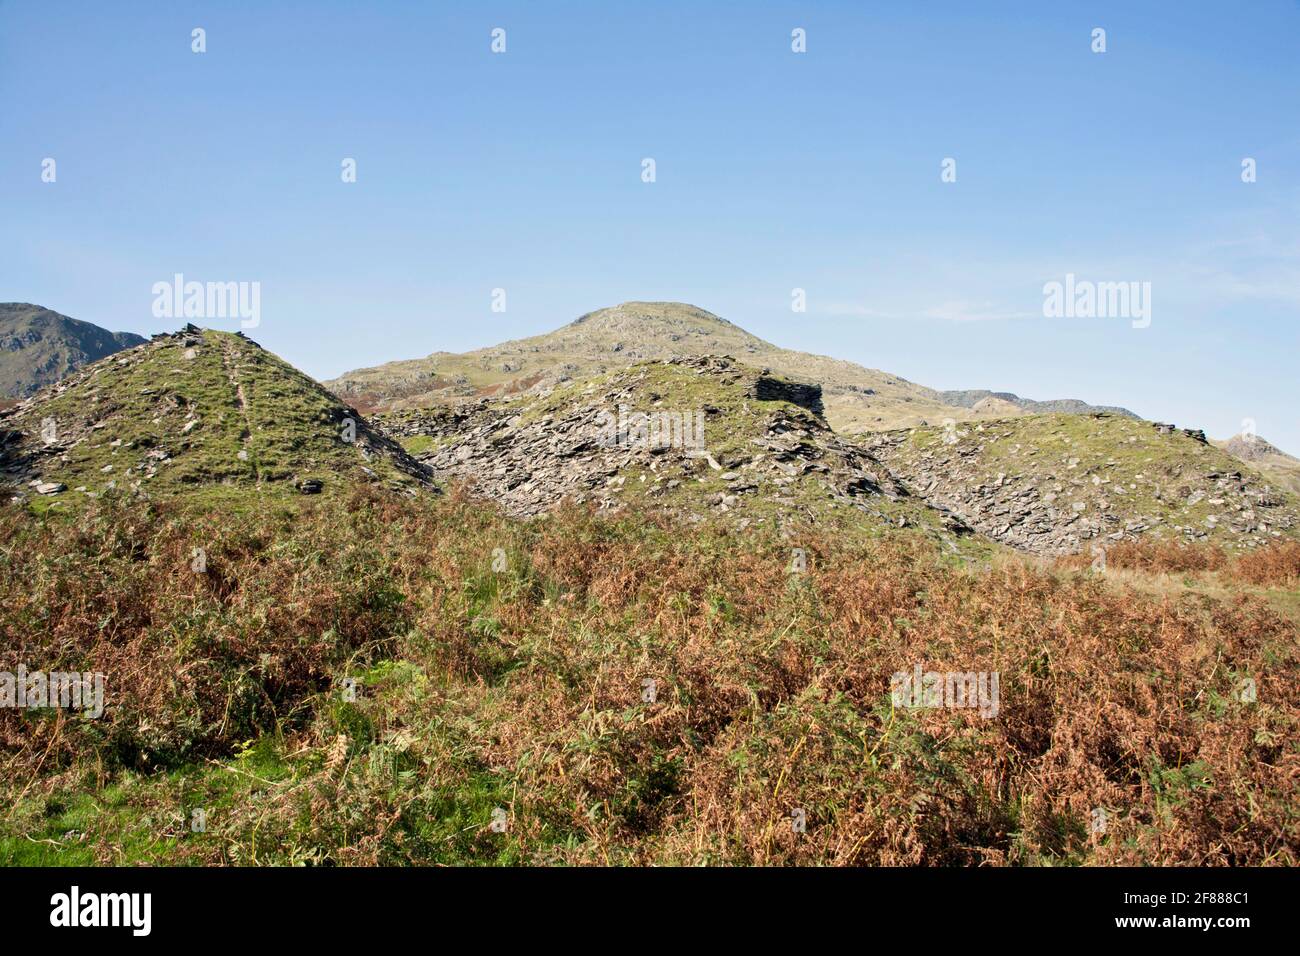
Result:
[{"x": 522, "y": 689}]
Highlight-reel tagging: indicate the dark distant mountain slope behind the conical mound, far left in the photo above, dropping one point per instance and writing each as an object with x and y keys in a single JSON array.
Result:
[{"x": 40, "y": 347}]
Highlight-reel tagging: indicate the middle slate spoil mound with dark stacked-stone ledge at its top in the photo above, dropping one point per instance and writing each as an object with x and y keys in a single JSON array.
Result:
[{"x": 532, "y": 456}]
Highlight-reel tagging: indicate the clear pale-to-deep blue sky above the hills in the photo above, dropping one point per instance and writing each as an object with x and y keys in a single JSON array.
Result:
[{"x": 775, "y": 171}]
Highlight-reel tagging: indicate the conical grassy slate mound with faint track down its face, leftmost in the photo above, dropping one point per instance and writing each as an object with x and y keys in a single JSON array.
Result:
[{"x": 197, "y": 413}]
